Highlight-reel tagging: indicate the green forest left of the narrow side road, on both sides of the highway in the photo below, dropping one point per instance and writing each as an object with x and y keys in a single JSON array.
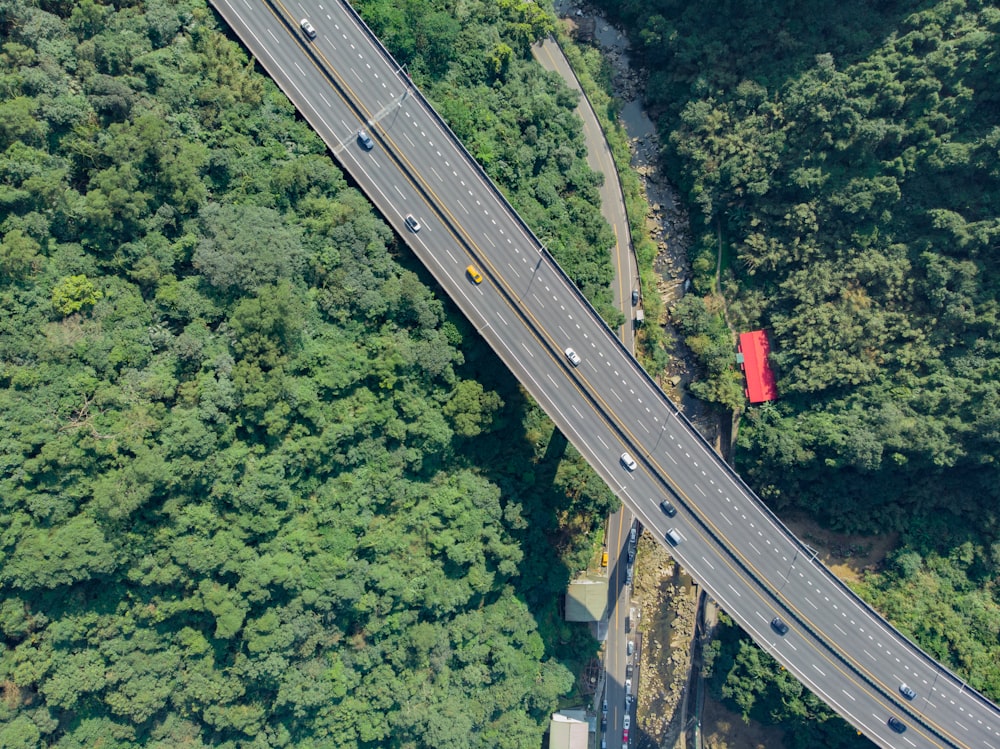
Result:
[{"x": 252, "y": 489}]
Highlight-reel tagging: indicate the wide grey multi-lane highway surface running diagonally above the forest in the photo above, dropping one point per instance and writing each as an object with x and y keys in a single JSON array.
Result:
[{"x": 530, "y": 312}]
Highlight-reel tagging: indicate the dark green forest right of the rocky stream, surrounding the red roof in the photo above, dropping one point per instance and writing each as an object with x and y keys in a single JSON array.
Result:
[{"x": 841, "y": 161}]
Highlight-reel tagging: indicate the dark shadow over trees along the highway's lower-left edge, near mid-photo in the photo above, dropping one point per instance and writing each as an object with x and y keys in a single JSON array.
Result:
[{"x": 553, "y": 503}]
